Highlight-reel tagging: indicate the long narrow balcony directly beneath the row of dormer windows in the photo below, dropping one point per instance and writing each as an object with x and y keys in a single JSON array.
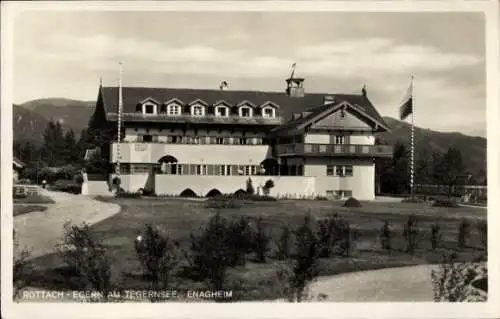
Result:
[{"x": 206, "y": 119}]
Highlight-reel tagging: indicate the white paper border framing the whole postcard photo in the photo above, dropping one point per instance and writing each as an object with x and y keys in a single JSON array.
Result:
[{"x": 253, "y": 309}]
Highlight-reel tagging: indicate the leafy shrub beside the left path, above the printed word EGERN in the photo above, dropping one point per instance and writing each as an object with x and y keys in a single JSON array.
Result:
[{"x": 87, "y": 257}]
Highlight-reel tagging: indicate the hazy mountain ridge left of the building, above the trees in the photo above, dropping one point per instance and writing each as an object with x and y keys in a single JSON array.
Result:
[{"x": 72, "y": 114}]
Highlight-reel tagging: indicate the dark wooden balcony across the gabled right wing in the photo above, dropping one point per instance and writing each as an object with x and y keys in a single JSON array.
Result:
[{"x": 348, "y": 150}]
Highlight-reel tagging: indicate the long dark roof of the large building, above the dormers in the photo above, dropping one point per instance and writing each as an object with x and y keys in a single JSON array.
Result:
[{"x": 288, "y": 105}]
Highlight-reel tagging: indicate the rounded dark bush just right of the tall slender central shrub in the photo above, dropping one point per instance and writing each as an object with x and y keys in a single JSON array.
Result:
[{"x": 334, "y": 237}]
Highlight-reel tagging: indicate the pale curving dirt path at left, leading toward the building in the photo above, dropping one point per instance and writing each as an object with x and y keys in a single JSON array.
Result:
[{"x": 41, "y": 231}]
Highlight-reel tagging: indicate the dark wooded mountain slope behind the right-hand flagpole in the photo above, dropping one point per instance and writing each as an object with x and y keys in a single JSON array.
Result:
[{"x": 427, "y": 141}]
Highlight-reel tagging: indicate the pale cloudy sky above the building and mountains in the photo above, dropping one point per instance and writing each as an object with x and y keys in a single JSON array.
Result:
[{"x": 64, "y": 53}]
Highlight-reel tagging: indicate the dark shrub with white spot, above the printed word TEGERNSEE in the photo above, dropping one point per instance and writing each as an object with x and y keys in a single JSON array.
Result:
[{"x": 158, "y": 255}]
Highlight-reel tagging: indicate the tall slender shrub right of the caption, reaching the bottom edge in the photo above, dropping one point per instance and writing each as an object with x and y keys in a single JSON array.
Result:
[{"x": 303, "y": 268}]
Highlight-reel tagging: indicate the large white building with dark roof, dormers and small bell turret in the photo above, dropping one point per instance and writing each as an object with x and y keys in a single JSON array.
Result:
[{"x": 172, "y": 140}]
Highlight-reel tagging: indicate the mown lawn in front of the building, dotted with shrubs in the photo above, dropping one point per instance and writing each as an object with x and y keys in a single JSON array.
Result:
[{"x": 257, "y": 281}]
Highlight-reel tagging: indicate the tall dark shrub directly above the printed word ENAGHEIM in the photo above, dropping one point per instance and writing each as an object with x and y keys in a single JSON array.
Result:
[{"x": 211, "y": 252}]
